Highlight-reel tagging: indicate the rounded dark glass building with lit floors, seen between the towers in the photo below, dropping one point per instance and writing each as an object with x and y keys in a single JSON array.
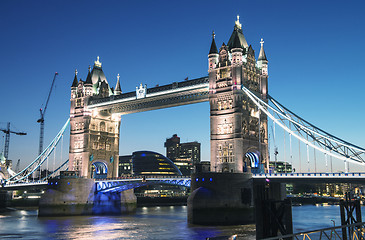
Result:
[{"x": 152, "y": 163}]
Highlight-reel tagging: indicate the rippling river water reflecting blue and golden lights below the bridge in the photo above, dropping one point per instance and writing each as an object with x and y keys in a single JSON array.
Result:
[{"x": 147, "y": 223}]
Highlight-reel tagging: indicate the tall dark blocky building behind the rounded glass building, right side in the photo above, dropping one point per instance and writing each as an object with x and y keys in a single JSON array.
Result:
[{"x": 184, "y": 155}]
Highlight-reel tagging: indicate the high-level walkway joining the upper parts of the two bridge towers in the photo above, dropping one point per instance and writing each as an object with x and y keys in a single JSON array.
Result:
[{"x": 175, "y": 94}]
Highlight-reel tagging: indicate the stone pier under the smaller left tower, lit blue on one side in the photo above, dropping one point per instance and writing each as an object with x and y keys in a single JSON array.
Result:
[{"x": 77, "y": 196}]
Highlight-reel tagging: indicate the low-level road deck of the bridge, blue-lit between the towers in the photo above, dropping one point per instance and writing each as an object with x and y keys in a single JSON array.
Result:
[{"x": 129, "y": 182}]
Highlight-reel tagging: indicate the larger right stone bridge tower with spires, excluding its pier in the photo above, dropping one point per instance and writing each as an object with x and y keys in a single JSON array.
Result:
[{"x": 239, "y": 141}]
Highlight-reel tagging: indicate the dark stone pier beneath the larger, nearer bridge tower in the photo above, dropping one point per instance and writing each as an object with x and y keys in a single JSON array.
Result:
[{"x": 221, "y": 199}]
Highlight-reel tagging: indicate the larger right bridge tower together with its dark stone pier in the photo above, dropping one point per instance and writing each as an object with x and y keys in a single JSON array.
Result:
[{"x": 238, "y": 136}]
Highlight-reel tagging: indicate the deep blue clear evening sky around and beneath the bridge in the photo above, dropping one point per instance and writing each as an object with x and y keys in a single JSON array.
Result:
[{"x": 315, "y": 51}]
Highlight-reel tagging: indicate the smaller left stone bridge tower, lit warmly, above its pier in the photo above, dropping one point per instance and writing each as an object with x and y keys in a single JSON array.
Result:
[{"x": 94, "y": 135}]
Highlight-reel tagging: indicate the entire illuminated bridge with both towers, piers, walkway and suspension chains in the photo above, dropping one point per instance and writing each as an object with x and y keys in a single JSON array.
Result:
[{"x": 240, "y": 112}]
